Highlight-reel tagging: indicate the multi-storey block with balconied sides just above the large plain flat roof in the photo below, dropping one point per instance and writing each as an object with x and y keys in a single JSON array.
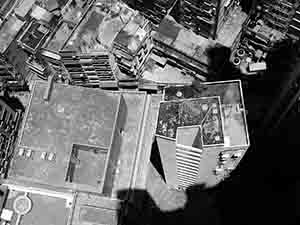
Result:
[{"x": 112, "y": 31}]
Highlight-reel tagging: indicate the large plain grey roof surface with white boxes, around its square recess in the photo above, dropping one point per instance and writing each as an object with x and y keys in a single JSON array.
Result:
[{"x": 74, "y": 115}]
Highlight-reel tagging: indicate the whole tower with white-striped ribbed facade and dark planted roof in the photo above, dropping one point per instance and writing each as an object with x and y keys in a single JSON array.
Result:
[{"x": 201, "y": 133}]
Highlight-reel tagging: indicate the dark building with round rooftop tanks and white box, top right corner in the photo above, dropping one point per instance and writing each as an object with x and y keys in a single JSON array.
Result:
[{"x": 269, "y": 23}]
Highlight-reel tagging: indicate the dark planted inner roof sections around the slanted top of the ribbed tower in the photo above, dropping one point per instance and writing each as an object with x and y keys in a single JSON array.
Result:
[{"x": 204, "y": 112}]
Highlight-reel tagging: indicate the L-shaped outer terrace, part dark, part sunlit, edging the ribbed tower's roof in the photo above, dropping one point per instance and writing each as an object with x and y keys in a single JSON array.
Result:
[{"x": 232, "y": 104}]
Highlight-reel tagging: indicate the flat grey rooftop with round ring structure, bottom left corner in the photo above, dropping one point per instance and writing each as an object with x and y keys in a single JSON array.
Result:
[{"x": 33, "y": 203}]
